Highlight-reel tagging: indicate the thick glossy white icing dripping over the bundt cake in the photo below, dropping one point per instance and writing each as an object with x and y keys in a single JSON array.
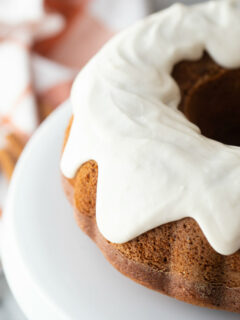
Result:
[{"x": 154, "y": 165}]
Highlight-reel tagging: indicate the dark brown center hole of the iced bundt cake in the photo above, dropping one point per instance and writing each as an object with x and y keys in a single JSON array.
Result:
[{"x": 211, "y": 98}]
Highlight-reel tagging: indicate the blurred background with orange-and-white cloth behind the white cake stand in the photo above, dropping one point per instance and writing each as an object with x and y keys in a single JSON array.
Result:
[{"x": 43, "y": 44}]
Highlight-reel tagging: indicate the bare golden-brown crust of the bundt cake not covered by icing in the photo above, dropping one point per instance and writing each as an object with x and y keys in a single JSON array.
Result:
[{"x": 175, "y": 258}]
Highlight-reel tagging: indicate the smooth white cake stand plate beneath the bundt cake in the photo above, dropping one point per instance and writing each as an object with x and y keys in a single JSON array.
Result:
[{"x": 54, "y": 270}]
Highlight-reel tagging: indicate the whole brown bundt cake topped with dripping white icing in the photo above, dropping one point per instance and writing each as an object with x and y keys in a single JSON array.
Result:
[{"x": 167, "y": 218}]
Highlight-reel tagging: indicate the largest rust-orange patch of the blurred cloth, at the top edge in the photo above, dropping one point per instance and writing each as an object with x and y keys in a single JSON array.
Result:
[{"x": 80, "y": 40}]
